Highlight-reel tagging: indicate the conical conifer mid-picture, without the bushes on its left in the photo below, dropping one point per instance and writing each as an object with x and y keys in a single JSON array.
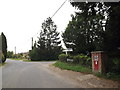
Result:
[{"x": 49, "y": 40}]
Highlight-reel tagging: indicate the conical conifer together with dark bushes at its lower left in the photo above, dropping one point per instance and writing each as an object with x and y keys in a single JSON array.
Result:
[{"x": 48, "y": 46}]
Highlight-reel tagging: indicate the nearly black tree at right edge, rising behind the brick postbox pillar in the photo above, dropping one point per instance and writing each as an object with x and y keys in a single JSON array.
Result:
[{"x": 112, "y": 38}]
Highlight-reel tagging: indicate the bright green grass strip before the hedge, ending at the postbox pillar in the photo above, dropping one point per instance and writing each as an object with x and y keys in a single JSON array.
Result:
[{"x": 77, "y": 68}]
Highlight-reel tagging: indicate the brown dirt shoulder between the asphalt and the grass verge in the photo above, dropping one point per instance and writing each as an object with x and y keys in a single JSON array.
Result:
[{"x": 85, "y": 80}]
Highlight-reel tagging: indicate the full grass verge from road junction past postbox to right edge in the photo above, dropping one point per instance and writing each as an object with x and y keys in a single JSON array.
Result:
[{"x": 79, "y": 68}]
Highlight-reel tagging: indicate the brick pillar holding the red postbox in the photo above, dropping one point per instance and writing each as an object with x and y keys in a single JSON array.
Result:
[{"x": 99, "y": 60}]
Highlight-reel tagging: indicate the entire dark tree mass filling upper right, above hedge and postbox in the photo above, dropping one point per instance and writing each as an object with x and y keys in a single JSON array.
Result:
[{"x": 95, "y": 26}]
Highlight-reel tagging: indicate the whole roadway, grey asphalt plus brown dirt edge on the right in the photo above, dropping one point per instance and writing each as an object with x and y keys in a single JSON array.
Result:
[{"x": 19, "y": 74}]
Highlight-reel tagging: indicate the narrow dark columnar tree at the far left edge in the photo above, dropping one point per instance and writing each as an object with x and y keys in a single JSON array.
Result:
[{"x": 4, "y": 47}]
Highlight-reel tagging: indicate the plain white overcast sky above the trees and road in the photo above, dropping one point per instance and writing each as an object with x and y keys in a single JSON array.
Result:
[{"x": 22, "y": 19}]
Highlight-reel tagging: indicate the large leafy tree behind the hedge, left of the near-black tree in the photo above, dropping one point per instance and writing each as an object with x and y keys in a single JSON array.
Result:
[{"x": 86, "y": 28}]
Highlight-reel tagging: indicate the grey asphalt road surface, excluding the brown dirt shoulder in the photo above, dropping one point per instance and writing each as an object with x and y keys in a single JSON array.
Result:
[{"x": 19, "y": 74}]
